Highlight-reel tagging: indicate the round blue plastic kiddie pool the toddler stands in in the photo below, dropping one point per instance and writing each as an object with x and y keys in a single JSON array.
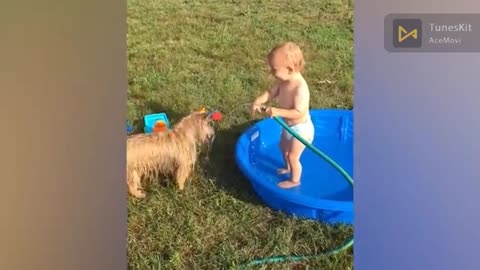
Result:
[{"x": 324, "y": 194}]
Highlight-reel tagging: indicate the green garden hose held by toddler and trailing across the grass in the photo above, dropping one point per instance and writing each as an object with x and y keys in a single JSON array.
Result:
[{"x": 347, "y": 244}]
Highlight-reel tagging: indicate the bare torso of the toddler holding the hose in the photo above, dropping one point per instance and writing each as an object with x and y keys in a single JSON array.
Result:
[{"x": 291, "y": 91}]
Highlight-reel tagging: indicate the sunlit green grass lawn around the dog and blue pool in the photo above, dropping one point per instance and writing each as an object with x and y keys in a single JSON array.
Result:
[{"x": 187, "y": 54}]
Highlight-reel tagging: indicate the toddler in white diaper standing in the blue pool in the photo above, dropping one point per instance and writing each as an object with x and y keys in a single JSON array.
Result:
[{"x": 291, "y": 92}]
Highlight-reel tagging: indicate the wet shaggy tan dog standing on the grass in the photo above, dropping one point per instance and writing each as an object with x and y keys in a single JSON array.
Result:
[{"x": 173, "y": 152}]
